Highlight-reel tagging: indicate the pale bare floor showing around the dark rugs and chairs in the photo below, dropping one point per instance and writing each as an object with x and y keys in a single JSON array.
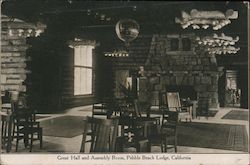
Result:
[{"x": 72, "y": 144}]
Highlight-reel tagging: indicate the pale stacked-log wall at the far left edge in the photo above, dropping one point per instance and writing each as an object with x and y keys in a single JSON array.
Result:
[{"x": 13, "y": 53}]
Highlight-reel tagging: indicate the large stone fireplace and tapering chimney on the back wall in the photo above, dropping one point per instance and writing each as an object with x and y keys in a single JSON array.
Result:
[{"x": 175, "y": 62}]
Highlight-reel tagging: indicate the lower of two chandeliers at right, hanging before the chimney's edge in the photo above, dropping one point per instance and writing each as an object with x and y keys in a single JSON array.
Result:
[{"x": 219, "y": 44}]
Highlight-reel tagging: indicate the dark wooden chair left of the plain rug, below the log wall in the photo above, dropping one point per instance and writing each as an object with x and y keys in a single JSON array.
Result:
[{"x": 26, "y": 127}]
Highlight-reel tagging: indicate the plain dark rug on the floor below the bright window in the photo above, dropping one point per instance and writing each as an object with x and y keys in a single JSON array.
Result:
[{"x": 64, "y": 126}]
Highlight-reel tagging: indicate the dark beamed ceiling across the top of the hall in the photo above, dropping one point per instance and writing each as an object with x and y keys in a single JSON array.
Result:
[{"x": 100, "y": 17}]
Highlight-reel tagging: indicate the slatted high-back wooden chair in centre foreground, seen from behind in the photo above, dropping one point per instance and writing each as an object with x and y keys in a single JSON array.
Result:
[{"x": 102, "y": 132}]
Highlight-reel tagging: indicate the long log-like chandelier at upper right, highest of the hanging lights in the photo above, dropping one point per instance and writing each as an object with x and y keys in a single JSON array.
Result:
[{"x": 205, "y": 19}]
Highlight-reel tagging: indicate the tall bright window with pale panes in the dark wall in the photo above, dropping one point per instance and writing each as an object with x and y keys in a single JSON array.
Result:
[{"x": 83, "y": 70}]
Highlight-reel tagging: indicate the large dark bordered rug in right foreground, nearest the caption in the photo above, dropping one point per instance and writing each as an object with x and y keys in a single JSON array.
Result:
[{"x": 216, "y": 136}]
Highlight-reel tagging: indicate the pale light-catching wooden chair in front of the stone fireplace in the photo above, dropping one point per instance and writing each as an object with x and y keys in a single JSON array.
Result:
[{"x": 174, "y": 105}]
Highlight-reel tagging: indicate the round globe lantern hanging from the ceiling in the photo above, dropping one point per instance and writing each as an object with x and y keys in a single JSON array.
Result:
[{"x": 127, "y": 30}]
